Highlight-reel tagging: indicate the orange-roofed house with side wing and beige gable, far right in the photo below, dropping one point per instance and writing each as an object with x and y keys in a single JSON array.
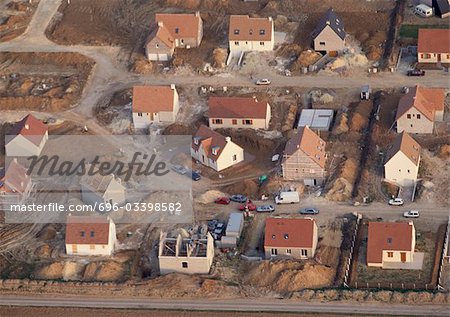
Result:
[{"x": 419, "y": 109}]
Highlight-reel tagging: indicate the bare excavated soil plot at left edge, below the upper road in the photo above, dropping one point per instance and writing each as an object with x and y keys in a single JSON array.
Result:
[{"x": 42, "y": 81}]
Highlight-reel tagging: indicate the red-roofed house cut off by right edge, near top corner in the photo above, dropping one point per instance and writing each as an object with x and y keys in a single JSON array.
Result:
[{"x": 433, "y": 46}]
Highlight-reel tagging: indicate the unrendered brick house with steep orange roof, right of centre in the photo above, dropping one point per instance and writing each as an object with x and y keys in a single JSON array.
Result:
[{"x": 304, "y": 157}]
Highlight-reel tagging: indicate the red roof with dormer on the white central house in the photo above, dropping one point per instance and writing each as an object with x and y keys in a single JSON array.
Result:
[{"x": 209, "y": 139}]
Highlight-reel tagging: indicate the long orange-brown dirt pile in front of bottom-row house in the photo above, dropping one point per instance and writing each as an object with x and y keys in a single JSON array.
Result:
[{"x": 288, "y": 276}]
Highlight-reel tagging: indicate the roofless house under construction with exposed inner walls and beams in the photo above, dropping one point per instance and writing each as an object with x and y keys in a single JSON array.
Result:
[{"x": 186, "y": 253}]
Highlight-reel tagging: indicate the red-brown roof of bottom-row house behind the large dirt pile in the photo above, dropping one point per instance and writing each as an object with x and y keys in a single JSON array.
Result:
[{"x": 288, "y": 232}]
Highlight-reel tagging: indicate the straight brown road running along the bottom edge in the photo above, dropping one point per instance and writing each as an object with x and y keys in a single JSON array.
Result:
[{"x": 248, "y": 305}]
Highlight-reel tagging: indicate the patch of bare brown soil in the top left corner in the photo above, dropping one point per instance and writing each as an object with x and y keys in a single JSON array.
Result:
[{"x": 14, "y": 17}]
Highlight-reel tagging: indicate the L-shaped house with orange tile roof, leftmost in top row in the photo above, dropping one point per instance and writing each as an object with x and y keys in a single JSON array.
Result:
[{"x": 173, "y": 30}]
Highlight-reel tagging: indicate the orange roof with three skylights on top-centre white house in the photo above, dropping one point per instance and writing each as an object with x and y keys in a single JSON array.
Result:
[{"x": 245, "y": 28}]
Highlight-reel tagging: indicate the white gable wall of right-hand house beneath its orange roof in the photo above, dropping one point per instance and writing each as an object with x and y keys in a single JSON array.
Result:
[{"x": 401, "y": 169}]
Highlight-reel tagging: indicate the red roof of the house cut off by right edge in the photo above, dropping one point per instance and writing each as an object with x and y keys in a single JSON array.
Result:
[{"x": 433, "y": 41}]
